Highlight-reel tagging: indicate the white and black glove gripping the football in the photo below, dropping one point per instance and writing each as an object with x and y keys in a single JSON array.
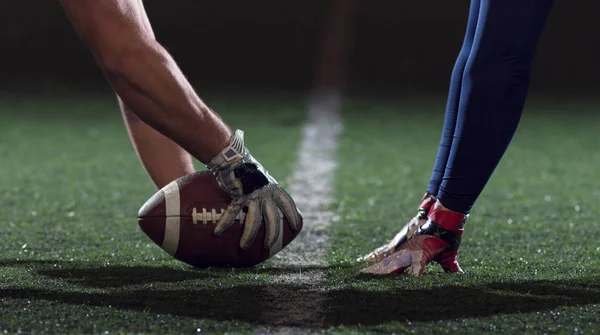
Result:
[{"x": 251, "y": 187}]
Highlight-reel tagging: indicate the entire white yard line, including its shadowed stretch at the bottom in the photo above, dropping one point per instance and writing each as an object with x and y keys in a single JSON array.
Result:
[{"x": 313, "y": 190}]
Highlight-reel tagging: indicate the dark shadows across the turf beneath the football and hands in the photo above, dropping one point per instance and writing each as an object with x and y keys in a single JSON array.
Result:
[{"x": 289, "y": 304}]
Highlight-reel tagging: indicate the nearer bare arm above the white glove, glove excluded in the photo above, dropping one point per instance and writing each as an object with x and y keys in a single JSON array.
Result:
[{"x": 145, "y": 76}]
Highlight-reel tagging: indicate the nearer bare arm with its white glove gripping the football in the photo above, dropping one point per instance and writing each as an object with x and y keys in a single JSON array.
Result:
[{"x": 151, "y": 84}]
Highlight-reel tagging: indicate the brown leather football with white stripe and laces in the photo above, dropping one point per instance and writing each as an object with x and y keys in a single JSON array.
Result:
[{"x": 181, "y": 217}]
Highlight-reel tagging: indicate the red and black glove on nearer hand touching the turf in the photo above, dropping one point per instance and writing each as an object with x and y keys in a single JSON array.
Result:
[{"x": 440, "y": 234}]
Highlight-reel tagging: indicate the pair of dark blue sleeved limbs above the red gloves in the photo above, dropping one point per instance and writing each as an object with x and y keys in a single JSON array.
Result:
[{"x": 487, "y": 95}]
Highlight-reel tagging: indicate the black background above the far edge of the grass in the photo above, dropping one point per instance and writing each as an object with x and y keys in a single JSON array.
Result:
[{"x": 399, "y": 46}]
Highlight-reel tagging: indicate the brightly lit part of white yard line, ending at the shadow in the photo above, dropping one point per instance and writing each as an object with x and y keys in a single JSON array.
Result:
[{"x": 313, "y": 181}]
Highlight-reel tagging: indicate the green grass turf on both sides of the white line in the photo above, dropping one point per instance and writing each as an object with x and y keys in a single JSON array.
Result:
[{"x": 73, "y": 260}]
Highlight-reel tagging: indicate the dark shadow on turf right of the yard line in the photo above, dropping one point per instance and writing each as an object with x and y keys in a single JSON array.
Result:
[{"x": 445, "y": 303}]
